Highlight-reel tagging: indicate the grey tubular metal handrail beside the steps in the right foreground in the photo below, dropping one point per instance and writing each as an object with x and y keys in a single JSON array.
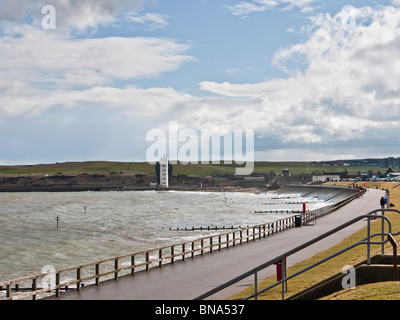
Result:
[{"x": 282, "y": 258}]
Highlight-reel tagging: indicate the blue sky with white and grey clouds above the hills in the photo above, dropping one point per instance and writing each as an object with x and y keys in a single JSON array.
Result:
[{"x": 314, "y": 79}]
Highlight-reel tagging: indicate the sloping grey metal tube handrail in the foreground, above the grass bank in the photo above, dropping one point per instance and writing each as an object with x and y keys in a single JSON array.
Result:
[{"x": 282, "y": 257}]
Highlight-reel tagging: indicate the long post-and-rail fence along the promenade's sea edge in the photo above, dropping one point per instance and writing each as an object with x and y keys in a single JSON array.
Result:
[{"x": 41, "y": 285}]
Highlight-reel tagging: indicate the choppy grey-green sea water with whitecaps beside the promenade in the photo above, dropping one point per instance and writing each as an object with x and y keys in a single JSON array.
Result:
[{"x": 98, "y": 225}]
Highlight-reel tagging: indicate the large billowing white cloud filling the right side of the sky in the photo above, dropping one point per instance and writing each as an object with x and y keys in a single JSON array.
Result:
[{"x": 346, "y": 88}]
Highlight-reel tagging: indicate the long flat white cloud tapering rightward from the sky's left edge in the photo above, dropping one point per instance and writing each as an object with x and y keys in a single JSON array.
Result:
[{"x": 33, "y": 59}]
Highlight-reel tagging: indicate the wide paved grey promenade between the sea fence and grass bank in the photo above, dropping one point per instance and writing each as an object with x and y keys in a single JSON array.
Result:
[{"x": 193, "y": 277}]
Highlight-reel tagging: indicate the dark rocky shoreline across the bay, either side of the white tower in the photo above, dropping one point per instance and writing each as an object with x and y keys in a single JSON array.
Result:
[{"x": 118, "y": 181}]
